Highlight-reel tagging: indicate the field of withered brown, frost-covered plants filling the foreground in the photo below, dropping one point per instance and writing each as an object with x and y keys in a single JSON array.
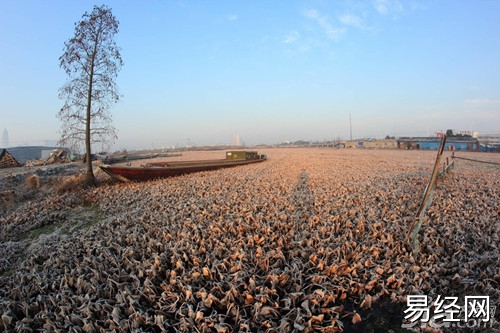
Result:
[{"x": 310, "y": 240}]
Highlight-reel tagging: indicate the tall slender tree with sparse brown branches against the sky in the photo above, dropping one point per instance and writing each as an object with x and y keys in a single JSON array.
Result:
[{"x": 92, "y": 61}]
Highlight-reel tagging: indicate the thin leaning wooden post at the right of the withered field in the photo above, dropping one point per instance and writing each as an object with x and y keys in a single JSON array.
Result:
[{"x": 426, "y": 200}]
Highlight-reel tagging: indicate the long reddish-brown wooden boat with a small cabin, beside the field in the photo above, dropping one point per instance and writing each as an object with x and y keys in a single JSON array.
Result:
[{"x": 149, "y": 171}]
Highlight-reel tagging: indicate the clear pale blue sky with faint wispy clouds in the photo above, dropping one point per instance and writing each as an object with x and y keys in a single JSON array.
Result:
[{"x": 201, "y": 72}]
